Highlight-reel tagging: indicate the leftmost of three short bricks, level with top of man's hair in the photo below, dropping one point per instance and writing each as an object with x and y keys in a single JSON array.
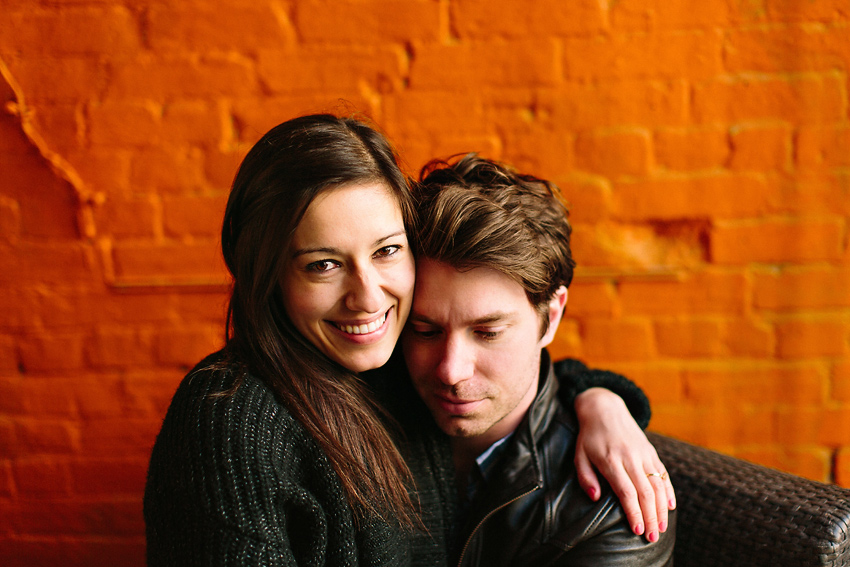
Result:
[{"x": 614, "y": 153}]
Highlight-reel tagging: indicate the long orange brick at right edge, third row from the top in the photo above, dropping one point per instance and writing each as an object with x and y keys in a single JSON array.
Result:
[{"x": 797, "y": 99}]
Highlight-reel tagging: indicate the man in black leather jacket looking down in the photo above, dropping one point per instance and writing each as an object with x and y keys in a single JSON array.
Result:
[{"x": 493, "y": 269}]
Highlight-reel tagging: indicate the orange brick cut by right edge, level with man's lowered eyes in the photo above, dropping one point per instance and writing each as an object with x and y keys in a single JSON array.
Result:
[{"x": 809, "y": 338}]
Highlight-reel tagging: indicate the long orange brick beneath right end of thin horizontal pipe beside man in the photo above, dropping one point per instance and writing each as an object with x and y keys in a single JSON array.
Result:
[{"x": 698, "y": 293}]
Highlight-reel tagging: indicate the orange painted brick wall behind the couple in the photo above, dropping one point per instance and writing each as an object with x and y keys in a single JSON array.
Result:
[{"x": 704, "y": 146}]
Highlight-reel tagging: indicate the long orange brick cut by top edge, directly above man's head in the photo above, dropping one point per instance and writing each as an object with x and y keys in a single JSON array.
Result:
[{"x": 479, "y": 20}]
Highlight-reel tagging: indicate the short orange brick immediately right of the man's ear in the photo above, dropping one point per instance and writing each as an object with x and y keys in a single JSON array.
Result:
[{"x": 617, "y": 340}]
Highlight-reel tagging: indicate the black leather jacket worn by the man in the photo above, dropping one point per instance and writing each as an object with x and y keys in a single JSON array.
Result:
[{"x": 532, "y": 511}]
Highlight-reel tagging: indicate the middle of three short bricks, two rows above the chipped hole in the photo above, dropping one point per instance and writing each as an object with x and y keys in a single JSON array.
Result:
[{"x": 681, "y": 149}]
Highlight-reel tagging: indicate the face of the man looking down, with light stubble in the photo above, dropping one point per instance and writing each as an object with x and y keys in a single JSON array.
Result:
[{"x": 472, "y": 345}]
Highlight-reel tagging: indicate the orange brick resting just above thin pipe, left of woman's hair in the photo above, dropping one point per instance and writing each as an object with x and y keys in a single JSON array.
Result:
[{"x": 165, "y": 263}]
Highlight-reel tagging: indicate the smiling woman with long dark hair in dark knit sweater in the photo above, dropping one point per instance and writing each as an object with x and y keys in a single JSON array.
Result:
[{"x": 272, "y": 451}]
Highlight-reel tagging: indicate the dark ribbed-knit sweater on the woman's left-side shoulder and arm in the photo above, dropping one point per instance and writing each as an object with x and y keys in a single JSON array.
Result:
[{"x": 236, "y": 480}]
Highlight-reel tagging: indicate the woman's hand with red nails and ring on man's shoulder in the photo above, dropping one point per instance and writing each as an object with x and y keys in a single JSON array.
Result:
[{"x": 610, "y": 441}]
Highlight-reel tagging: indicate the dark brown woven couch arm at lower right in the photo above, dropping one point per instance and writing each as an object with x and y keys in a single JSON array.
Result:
[{"x": 734, "y": 513}]
